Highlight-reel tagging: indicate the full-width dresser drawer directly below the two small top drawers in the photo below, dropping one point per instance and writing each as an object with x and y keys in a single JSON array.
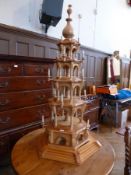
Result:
[{"x": 23, "y": 83}]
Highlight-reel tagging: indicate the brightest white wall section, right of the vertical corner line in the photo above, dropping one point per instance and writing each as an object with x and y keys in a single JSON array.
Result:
[{"x": 113, "y": 26}]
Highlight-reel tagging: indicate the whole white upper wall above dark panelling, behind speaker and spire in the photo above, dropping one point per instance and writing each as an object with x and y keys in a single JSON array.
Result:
[{"x": 105, "y": 24}]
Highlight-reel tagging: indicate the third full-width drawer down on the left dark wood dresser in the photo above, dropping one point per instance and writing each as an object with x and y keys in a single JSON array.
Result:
[{"x": 15, "y": 118}]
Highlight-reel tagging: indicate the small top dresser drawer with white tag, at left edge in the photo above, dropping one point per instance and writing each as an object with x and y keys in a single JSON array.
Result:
[{"x": 10, "y": 69}]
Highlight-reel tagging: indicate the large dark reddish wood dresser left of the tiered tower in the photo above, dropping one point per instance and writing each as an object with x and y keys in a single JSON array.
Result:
[{"x": 24, "y": 93}]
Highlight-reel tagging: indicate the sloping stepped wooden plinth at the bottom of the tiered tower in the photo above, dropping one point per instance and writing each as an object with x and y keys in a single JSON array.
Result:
[{"x": 70, "y": 154}]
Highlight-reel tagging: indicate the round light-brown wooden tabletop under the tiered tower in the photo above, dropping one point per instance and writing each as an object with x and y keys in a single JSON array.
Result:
[{"x": 27, "y": 161}]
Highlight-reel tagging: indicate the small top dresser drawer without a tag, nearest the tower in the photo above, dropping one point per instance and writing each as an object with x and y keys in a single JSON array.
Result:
[{"x": 35, "y": 69}]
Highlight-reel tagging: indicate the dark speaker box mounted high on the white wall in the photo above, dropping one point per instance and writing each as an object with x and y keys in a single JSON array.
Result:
[{"x": 51, "y": 12}]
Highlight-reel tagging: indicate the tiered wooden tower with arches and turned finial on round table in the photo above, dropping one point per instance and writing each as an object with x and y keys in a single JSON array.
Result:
[{"x": 68, "y": 138}]
